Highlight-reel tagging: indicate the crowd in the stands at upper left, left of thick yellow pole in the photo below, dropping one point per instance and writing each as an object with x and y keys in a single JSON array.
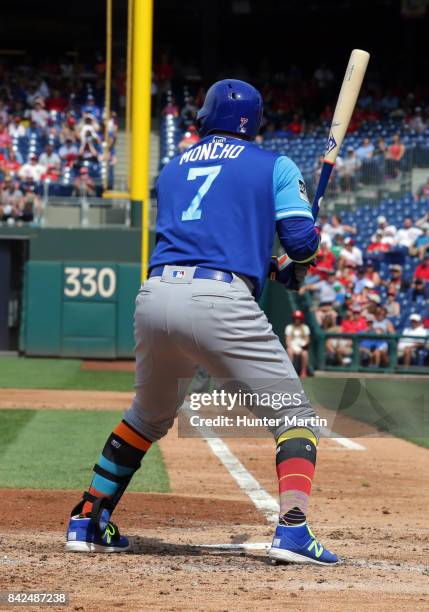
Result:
[{"x": 52, "y": 136}]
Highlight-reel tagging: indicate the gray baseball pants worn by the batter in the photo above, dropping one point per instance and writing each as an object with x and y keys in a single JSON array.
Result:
[{"x": 182, "y": 322}]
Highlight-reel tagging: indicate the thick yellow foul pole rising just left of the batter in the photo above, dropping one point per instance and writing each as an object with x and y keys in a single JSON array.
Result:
[{"x": 140, "y": 121}]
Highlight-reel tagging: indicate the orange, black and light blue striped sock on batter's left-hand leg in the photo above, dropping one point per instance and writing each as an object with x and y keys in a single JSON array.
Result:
[{"x": 121, "y": 457}]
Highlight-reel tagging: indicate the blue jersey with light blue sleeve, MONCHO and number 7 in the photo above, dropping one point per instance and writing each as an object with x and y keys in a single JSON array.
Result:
[{"x": 218, "y": 204}]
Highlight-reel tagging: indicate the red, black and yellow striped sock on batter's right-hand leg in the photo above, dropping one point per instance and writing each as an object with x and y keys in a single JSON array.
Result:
[{"x": 295, "y": 463}]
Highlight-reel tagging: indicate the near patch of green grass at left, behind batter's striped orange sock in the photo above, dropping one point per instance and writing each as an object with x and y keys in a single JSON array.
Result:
[{"x": 55, "y": 449}]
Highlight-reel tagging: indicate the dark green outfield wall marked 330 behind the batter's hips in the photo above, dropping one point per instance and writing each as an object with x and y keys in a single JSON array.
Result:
[{"x": 79, "y": 288}]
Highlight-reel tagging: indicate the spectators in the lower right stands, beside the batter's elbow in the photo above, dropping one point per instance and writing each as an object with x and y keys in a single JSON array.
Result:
[{"x": 359, "y": 290}]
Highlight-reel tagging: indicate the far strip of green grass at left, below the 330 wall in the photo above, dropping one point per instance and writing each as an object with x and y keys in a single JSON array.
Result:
[{"x": 32, "y": 373}]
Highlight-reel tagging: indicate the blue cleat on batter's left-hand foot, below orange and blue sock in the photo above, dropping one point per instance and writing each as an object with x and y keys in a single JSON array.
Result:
[{"x": 84, "y": 535}]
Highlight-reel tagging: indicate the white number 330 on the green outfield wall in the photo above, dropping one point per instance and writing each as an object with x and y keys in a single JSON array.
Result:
[{"x": 89, "y": 282}]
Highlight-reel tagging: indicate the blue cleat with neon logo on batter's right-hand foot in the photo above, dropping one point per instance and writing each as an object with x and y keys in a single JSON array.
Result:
[{"x": 298, "y": 544}]
